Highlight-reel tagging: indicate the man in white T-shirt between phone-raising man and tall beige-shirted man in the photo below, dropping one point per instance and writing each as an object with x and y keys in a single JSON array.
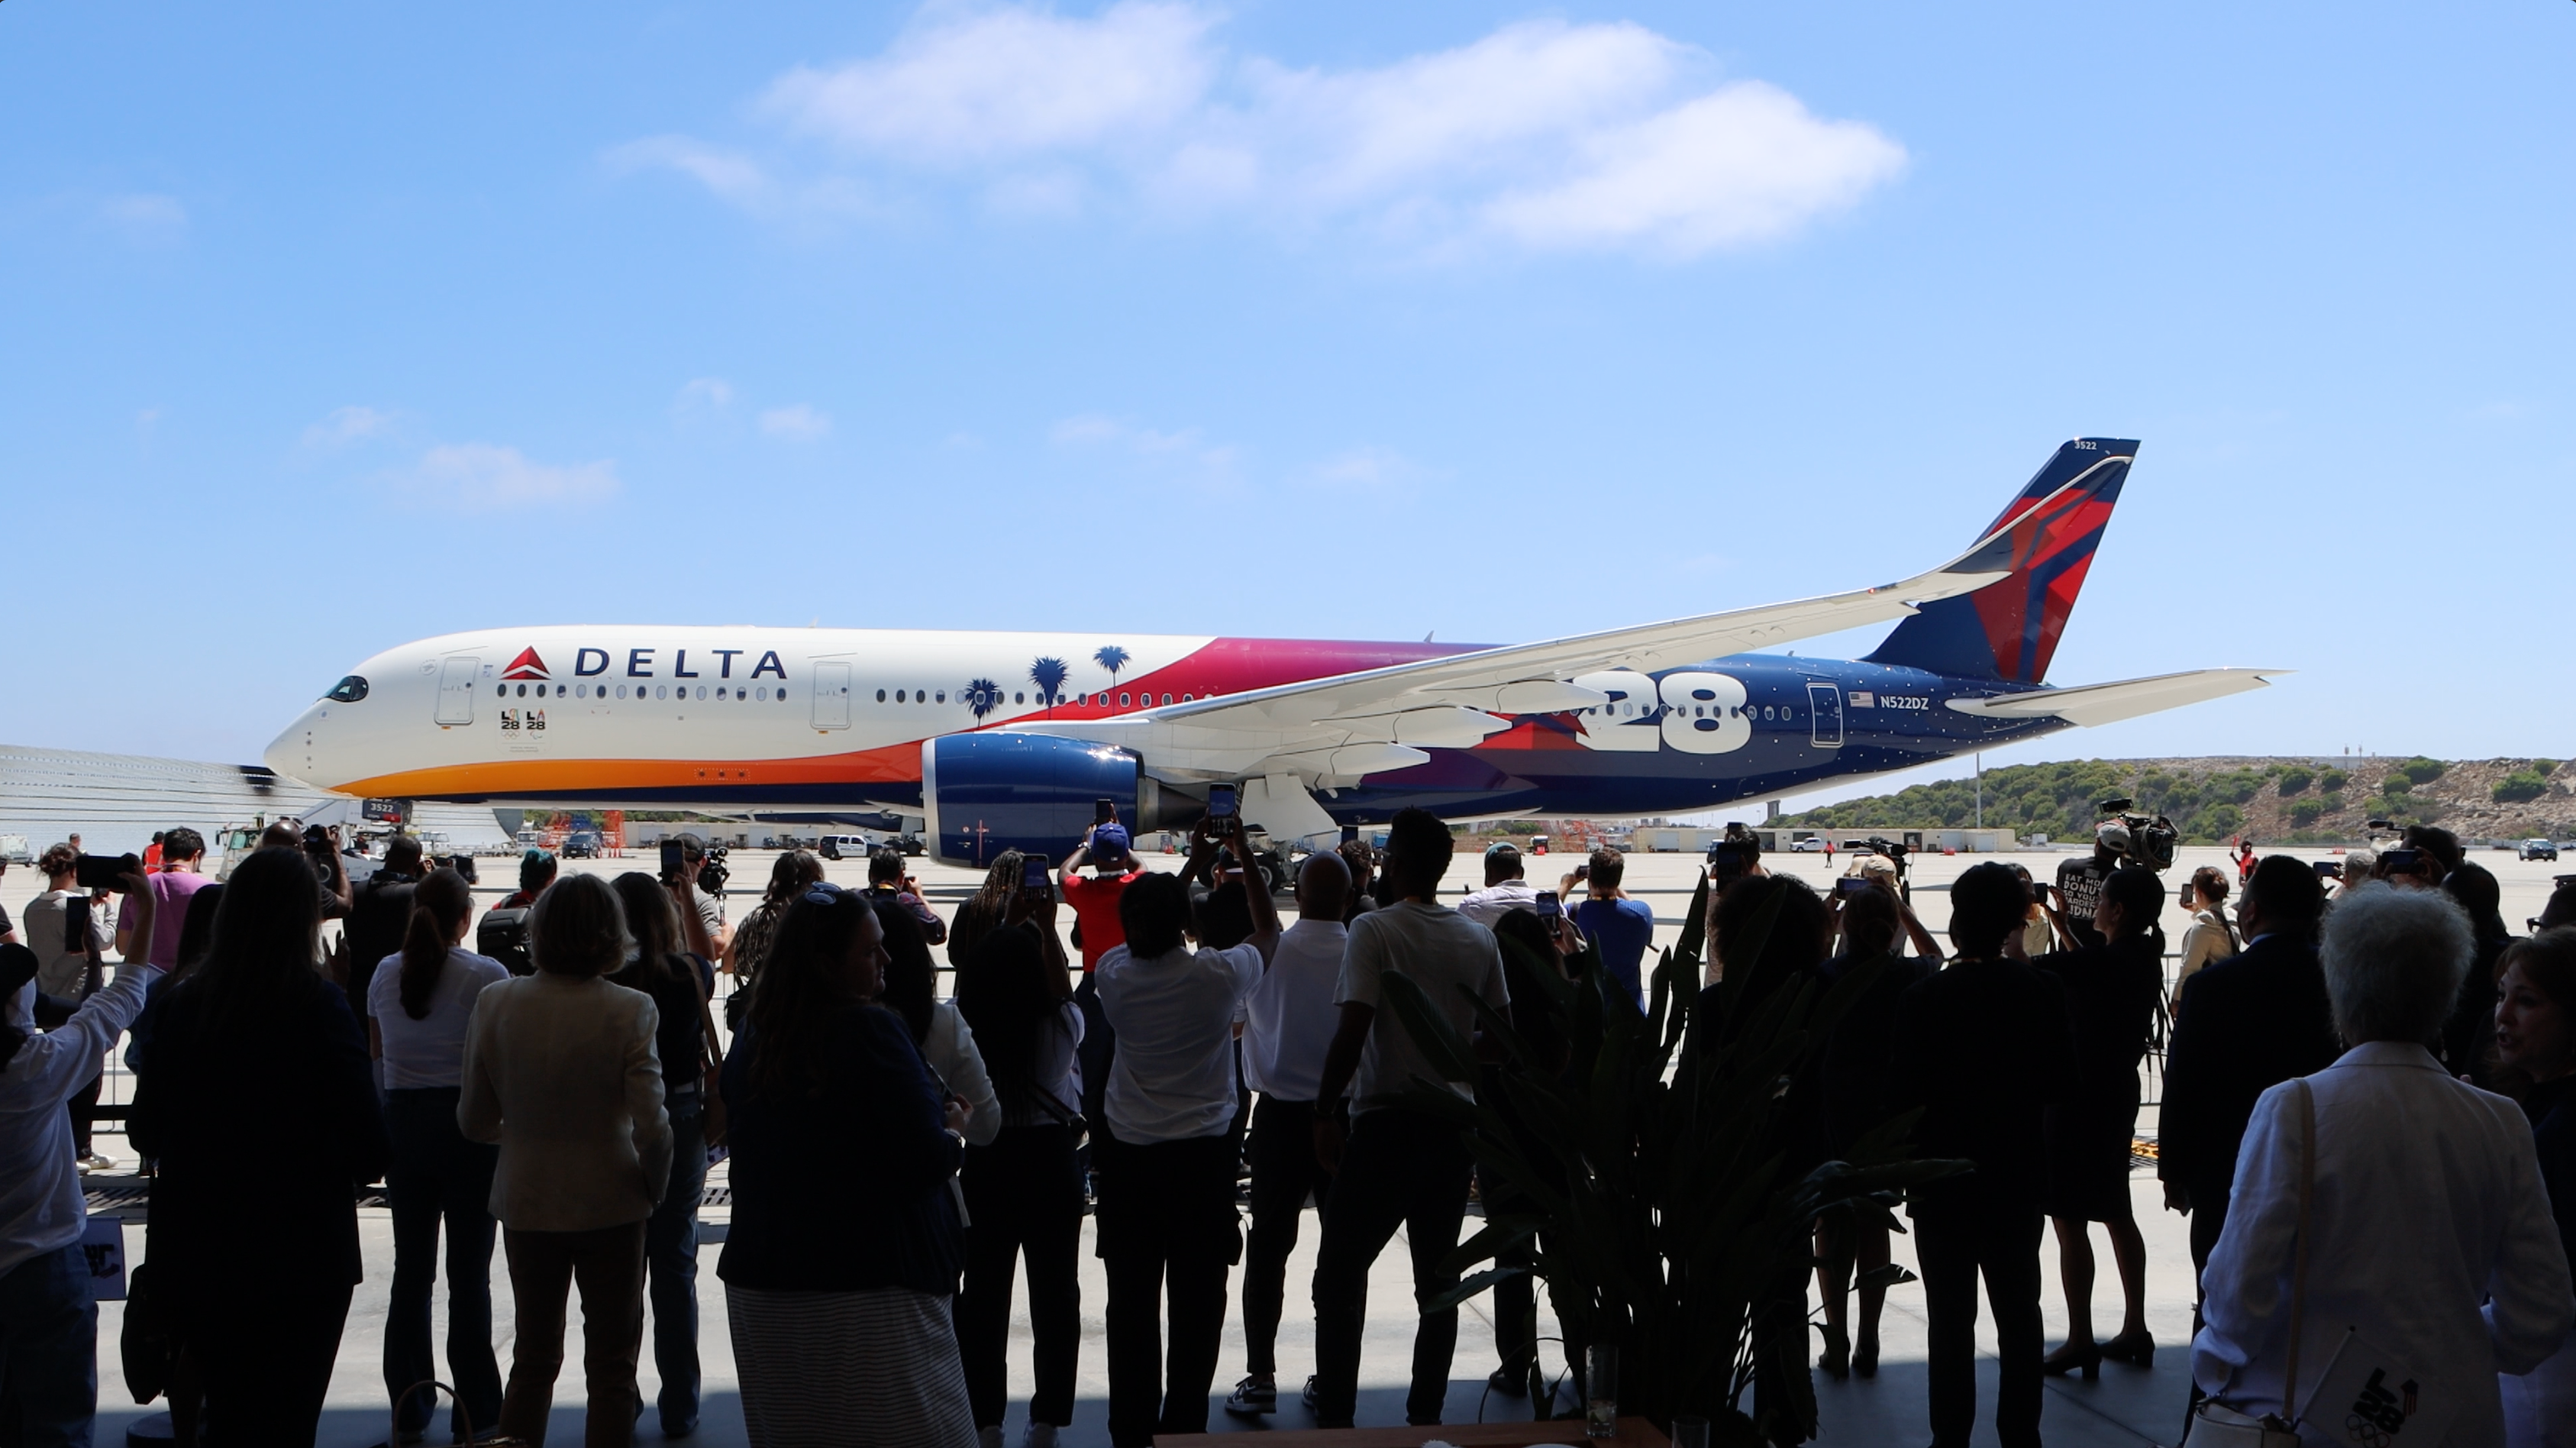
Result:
[{"x": 1289, "y": 1027}]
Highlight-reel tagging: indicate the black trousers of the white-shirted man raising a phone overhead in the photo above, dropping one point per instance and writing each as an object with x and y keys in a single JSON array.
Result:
[{"x": 1166, "y": 1230}]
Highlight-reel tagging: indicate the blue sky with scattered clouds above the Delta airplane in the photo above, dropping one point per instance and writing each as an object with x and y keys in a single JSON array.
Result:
[{"x": 326, "y": 329}]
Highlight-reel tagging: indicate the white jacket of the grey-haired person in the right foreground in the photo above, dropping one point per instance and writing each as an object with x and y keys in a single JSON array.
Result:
[{"x": 2428, "y": 1202}]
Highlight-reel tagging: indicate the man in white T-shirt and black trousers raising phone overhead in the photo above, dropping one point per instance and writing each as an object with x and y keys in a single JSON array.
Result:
[{"x": 1166, "y": 1225}]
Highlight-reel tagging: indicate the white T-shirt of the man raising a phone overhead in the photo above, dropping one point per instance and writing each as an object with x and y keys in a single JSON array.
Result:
[{"x": 1173, "y": 1076}]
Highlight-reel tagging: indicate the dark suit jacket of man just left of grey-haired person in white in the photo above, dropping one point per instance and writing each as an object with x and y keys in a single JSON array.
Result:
[{"x": 2242, "y": 1029}]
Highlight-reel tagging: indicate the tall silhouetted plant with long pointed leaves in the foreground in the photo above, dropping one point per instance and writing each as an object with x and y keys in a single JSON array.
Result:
[{"x": 1653, "y": 1179}]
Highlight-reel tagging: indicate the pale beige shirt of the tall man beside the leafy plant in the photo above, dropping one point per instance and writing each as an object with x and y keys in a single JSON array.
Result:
[{"x": 1441, "y": 952}]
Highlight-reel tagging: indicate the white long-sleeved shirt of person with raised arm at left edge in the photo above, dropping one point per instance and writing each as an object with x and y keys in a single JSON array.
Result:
[{"x": 40, "y": 1186}]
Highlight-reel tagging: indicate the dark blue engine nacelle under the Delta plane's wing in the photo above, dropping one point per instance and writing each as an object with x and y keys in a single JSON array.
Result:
[{"x": 998, "y": 792}]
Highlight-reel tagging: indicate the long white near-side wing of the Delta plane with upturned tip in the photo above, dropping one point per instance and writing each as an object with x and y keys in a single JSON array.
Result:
[{"x": 1382, "y": 720}]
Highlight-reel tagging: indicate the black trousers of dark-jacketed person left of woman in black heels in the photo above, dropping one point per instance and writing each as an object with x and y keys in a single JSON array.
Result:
[{"x": 1954, "y": 1246}]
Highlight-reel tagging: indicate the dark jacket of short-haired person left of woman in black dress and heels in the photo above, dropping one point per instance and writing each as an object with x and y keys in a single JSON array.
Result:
[{"x": 1985, "y": 1047}]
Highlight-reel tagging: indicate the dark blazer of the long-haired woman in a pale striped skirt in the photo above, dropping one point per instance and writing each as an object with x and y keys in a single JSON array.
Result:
[{"x": 849, "y": 1189}]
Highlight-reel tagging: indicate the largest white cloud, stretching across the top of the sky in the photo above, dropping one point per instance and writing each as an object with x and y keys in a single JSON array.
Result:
[{"x": 1539, "y": 135}]
